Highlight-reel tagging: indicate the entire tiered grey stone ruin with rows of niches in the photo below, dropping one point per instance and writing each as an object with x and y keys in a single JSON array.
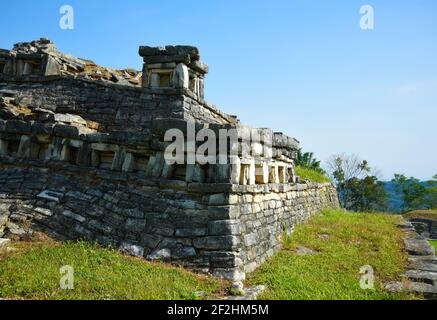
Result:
[{"x": 82, "y": 157}]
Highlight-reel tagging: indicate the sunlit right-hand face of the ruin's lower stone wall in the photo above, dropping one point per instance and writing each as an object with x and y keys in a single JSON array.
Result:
[{"x": 266, "y": 213}]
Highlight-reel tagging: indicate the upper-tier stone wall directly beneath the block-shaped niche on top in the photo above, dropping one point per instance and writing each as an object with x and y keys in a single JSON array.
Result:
[{"x": 113, "y": 106}]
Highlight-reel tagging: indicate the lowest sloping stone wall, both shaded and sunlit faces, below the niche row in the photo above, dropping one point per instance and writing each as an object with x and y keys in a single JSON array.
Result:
[{"x": 222, "y": 229}]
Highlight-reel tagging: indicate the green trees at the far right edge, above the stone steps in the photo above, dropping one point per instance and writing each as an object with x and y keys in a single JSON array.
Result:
[{"x": 416, "y": 194}]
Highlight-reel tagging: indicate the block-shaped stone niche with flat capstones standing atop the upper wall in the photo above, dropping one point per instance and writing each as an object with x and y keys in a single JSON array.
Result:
[{"x": 176, "y": 67}]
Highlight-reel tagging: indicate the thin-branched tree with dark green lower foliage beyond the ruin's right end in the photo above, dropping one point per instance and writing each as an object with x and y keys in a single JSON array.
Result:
[{"x": 358, "y": 189}]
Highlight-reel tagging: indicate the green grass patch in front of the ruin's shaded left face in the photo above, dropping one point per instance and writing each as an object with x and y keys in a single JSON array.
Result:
[{"x": 32, "y": 272}]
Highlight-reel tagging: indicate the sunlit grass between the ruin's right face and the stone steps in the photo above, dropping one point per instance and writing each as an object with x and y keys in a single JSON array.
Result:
[{"x": 344, "y": 242}]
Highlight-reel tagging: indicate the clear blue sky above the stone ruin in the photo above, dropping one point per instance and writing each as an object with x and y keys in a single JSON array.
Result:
[{"x": 301, "y": 67}]
